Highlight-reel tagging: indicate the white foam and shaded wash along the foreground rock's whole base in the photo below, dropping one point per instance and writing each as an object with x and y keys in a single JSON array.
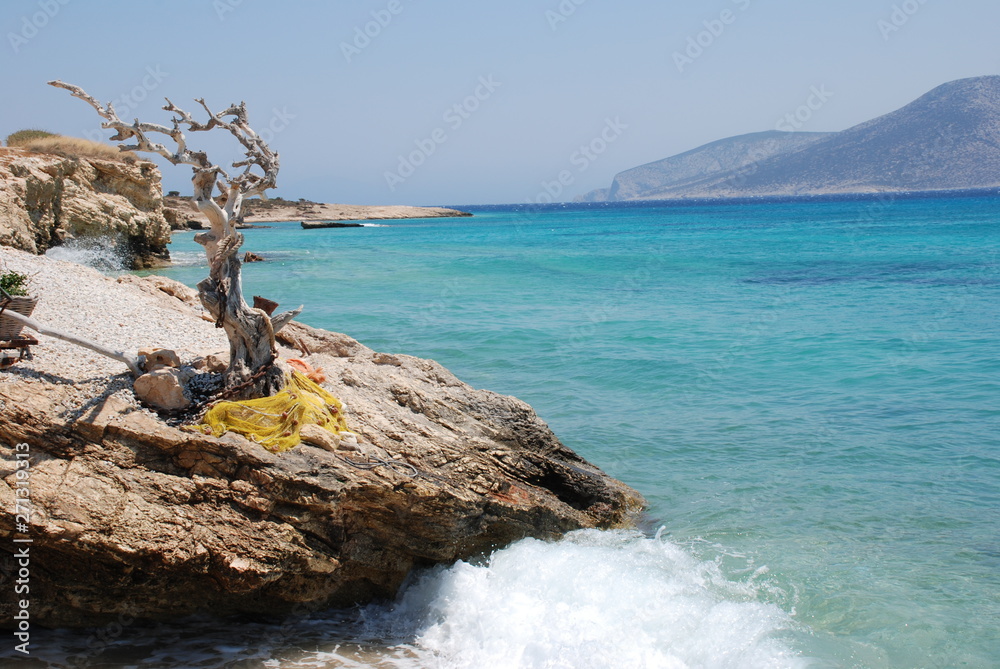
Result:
[{"x": 592, "y": 600}]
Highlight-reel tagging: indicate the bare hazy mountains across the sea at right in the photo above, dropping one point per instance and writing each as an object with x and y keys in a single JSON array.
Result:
[{"x": 947, "y": 139}]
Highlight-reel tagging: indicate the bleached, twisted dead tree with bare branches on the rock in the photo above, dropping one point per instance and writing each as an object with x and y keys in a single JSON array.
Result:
[{"x": 252, "y": 371}]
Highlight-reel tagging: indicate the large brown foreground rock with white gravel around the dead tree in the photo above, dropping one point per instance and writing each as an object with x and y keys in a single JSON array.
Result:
[{"x": 135, "y": 517}]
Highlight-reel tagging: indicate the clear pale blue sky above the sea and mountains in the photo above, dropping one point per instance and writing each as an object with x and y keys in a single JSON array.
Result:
[{"x": 462, "y": 102}]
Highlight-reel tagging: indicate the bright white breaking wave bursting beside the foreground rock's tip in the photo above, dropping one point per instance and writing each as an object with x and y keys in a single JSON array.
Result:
[{"x": 595, "y": 599}]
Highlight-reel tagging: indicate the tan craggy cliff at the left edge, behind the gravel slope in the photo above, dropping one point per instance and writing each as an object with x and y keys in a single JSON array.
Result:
[{"x": 47, "y": 200}]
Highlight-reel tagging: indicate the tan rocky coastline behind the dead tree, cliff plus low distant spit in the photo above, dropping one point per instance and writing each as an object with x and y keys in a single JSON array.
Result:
[{"x": 50, "y": 199}]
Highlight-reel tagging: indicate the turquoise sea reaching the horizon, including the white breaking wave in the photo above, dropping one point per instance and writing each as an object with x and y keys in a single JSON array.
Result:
[{"x": 806, "y": 392}]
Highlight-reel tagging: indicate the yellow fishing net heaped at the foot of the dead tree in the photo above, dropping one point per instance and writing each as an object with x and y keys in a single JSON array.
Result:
[{"x": 274, "y": 422}]
